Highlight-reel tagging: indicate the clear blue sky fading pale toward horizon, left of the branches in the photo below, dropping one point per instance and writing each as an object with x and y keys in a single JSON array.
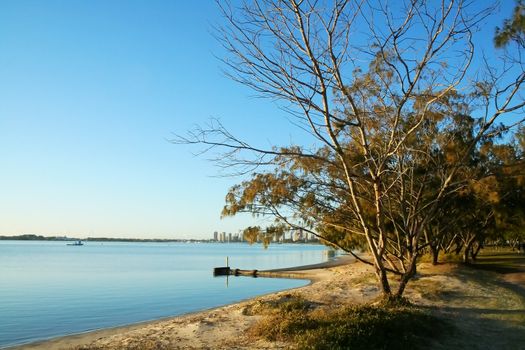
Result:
[{"x": 90, "y": 94}]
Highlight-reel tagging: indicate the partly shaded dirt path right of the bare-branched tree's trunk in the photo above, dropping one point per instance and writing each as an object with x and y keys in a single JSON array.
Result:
[{"x": 485, "y": 302}]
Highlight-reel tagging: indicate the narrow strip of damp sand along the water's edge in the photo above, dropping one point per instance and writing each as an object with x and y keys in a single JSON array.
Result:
[{"x": 312, "y": 273}]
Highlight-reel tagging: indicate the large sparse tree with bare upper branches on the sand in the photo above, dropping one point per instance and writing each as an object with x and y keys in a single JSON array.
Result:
[{"x": 377, "y": 85}]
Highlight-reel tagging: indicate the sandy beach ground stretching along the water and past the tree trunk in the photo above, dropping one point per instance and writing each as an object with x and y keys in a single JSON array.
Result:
[{"x": 454, "y": 291}]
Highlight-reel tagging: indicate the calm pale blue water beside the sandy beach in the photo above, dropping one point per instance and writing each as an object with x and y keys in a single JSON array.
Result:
[{"x": 49, "y": 289}]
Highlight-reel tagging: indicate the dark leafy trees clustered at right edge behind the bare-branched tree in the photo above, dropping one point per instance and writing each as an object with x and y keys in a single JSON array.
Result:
[{"x": 489, "y": 207}]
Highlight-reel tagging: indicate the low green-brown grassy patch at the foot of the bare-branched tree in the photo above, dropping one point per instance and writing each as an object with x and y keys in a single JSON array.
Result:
[{"x": 350, "y": 327}]
